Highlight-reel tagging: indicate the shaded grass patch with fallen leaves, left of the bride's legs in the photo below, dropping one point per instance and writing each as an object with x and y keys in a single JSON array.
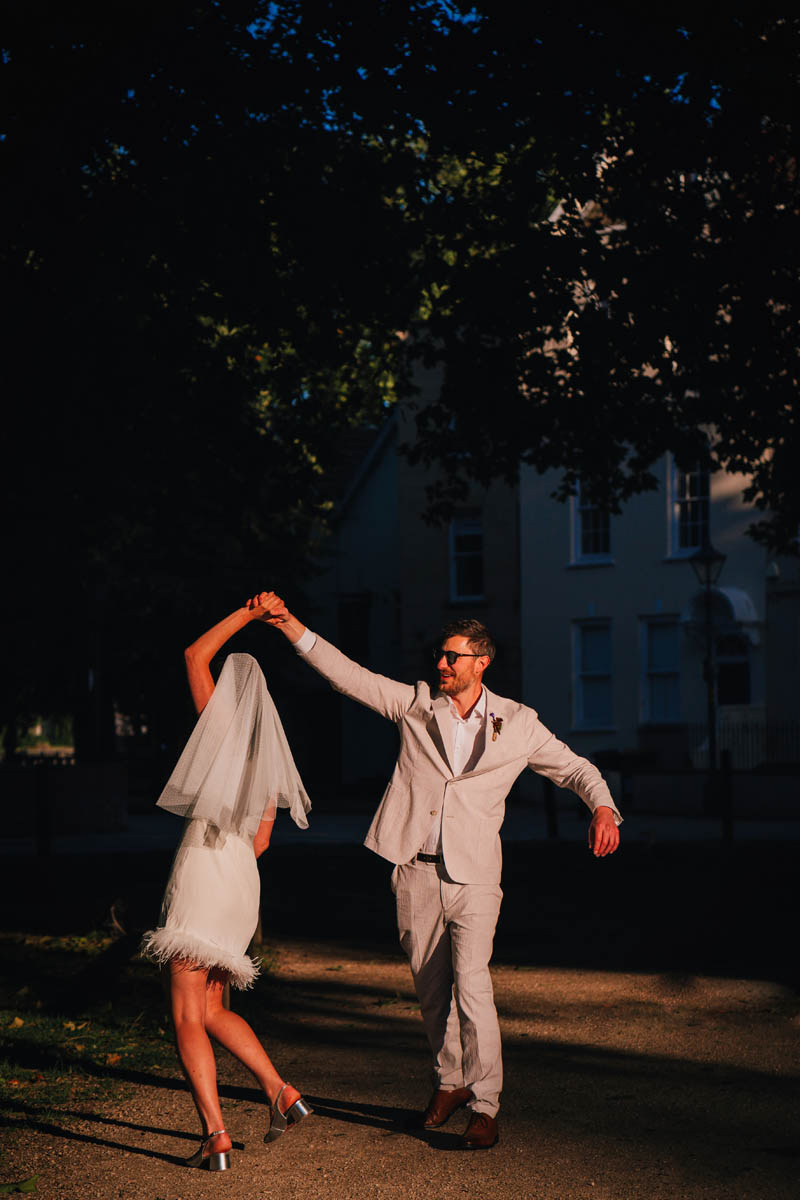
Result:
[{"x": 82, "y": 1019}]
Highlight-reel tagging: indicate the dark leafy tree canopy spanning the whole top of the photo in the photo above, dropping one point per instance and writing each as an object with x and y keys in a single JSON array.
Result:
[{"x": 219, "y": 217}]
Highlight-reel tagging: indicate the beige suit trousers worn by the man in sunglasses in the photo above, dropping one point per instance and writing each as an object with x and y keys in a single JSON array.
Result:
[{"x": 448, "y": 932}]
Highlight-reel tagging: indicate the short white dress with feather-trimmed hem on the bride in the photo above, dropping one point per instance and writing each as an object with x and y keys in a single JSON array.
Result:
[{"x": 210, "y": 908}]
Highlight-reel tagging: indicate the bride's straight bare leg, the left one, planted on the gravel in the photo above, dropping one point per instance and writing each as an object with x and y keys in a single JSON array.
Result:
[{"x": 189, "y": 987}]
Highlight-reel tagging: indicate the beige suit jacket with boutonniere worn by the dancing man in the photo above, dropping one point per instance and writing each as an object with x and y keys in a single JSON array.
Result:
[{"x": 472, "y": 805}]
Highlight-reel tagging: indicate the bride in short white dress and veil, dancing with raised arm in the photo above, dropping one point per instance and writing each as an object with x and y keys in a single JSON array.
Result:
[{"x": 236, "y": 771}]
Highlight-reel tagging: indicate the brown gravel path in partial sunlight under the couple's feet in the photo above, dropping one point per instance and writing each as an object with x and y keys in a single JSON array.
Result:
[{"x": 617, "y": 1087}]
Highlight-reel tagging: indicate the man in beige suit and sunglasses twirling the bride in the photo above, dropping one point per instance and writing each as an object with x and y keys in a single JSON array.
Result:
[{"x": 440, "y": 823}]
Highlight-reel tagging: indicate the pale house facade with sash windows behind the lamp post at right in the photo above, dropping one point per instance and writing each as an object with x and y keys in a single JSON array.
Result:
[{"x": 616, "y": 627}]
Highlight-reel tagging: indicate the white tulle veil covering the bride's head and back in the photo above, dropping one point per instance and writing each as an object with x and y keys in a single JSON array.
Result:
[{"x": 237, "y": 769}]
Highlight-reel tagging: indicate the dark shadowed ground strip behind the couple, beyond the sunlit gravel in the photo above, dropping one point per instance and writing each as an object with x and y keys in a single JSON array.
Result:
[{"x": 673, "y": 909}]
